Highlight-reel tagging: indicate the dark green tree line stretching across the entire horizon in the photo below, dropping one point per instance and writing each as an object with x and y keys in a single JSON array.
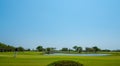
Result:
[{"x": 77, "y": 49}]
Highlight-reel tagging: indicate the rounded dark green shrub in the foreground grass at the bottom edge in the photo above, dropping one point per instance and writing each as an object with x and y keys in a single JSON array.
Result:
[{"x": 65, "y": 63}]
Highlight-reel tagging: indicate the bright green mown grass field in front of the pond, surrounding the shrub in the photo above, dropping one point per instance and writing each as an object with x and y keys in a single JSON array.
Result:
[{"x": 37, "y": 59}]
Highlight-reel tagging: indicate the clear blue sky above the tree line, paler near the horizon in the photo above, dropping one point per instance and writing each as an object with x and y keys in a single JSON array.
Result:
[{"x": 60, "y": 23}]
